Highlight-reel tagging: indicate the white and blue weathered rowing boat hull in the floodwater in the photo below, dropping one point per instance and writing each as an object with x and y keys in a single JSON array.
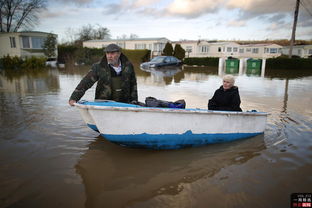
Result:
[{"x": 162, "y": 128}]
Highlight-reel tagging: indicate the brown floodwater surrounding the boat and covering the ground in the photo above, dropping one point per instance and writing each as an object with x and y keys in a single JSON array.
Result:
[{"x": 50, "y": 158}]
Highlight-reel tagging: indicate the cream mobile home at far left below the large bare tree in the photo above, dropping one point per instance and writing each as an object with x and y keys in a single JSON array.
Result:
[{"x": 23, "y": 44}]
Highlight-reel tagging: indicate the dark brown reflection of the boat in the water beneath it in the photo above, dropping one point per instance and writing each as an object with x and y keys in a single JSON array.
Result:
[{"x": 109, "y": 170}]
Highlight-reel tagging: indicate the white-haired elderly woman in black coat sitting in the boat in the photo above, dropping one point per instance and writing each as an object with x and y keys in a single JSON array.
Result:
[{"x": 226, "y": 98}]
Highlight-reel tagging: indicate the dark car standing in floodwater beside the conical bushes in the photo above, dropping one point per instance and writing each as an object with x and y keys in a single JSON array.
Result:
[{"x": 161, "y": 61}]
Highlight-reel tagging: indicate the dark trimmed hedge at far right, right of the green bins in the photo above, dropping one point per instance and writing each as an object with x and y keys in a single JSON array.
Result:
[{"x": 289, "y": 63}]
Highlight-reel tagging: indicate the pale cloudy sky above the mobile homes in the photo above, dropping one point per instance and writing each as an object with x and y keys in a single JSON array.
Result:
[{"x": 181, "y": 19}]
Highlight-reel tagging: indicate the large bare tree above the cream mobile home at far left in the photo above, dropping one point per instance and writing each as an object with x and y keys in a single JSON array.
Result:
[{"x": 16, "y": 14}]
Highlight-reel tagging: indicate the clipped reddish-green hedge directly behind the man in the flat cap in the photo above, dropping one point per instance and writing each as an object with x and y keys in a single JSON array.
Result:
[{"x": 70, "y": 54}]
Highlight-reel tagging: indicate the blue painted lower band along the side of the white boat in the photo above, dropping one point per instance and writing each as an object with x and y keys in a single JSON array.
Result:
[{"x": 174, "y": 141}]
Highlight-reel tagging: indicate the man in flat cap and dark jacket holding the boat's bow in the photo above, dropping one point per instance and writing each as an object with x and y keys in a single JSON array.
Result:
[{"x": 115, "y": 77}]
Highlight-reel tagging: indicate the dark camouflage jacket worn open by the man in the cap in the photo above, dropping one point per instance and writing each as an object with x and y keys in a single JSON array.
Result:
[{"x": 101, "y": 73}]
